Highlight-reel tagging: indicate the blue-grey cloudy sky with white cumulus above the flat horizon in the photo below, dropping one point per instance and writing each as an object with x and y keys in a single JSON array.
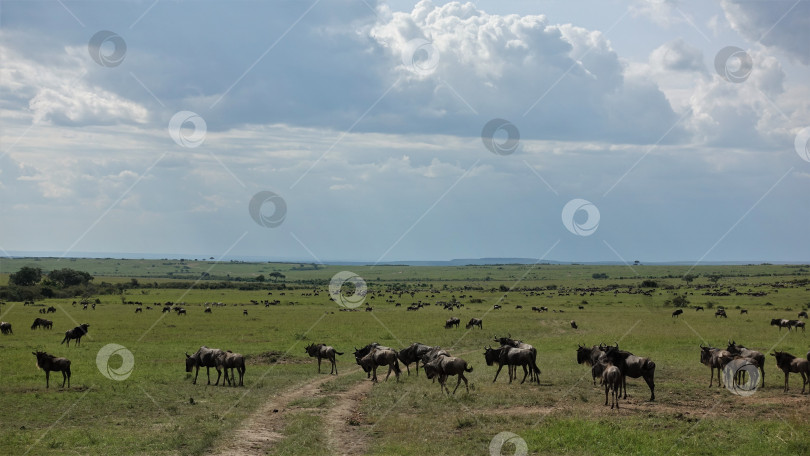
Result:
[{"x": 652, "y": 130}]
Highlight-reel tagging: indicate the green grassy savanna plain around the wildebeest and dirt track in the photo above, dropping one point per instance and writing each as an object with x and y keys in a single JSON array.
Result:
[{"x": 151, "y": 411}]
